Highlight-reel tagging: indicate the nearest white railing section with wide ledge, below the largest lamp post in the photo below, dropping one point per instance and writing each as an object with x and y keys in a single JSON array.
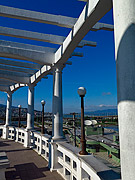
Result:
[{"x": 73, "y": 166}]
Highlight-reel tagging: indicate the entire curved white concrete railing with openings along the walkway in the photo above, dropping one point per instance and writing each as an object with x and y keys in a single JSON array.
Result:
[{"x": 62, "y": 156}]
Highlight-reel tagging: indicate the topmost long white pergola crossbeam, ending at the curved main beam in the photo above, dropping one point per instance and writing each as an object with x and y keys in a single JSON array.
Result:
[{"x": 28, "y": 15}]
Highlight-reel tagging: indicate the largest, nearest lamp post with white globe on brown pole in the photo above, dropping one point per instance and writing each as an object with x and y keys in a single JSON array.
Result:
[{"x": 82, "y": 91}]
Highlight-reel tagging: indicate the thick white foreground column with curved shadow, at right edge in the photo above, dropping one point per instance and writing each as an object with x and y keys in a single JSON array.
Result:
[{"x": 124, "y": 26}]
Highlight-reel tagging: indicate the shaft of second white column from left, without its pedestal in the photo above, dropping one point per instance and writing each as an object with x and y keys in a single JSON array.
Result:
[{"x": 30, "y": 114}]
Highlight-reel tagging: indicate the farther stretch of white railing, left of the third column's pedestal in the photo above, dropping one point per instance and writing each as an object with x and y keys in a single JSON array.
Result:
[{"x": 33, "y": 139}]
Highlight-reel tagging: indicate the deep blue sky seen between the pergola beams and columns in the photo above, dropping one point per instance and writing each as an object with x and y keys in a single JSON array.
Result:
[{"x": 95, "y": 71}]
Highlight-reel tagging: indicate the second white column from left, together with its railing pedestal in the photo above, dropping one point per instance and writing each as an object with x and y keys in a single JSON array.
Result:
[{"x": 30, "y": 116}]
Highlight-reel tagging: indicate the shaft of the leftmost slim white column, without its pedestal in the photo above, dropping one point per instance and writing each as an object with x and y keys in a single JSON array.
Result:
[{"x": 8, "y": 109}]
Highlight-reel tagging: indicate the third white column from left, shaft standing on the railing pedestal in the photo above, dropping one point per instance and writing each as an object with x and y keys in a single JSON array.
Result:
[{"x": 57, "y": 107}]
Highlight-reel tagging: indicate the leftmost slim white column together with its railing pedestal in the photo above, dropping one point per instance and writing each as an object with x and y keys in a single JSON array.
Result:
[{"x": 8, "y": 115}]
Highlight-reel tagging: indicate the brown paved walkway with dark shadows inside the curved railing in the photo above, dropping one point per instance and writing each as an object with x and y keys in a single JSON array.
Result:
[{"x": 25, "y": 164}]
